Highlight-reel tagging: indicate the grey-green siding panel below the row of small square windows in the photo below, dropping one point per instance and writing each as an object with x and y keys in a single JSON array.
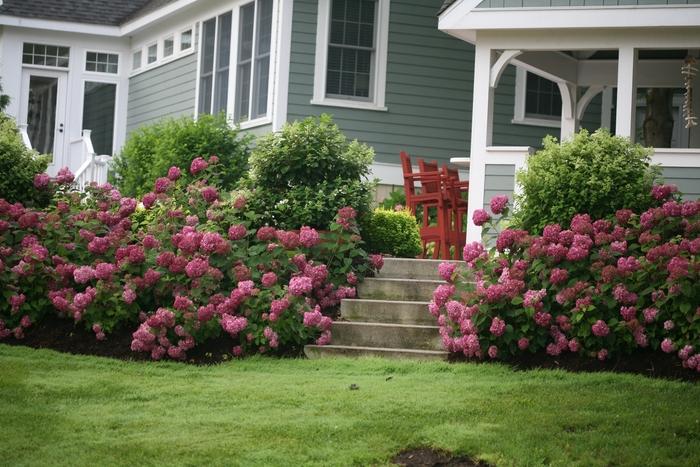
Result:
[{"x": 166, "y": 91}]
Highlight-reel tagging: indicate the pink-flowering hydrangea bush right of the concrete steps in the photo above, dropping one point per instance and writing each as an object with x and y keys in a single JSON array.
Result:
[{"x": 597, "y": 288}]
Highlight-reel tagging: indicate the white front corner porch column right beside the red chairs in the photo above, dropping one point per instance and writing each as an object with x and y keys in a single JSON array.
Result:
[{"x": 482, "y": 131}]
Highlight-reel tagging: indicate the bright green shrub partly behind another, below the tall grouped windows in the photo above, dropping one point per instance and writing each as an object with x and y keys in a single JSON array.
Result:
[{"x": 152, "y": 149}]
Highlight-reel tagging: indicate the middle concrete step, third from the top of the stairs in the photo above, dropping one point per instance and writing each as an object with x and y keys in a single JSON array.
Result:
[{"x": 385, "y": 311}]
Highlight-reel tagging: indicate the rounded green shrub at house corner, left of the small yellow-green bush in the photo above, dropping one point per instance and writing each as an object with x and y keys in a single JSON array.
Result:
[{"x": 307, "y": 171}]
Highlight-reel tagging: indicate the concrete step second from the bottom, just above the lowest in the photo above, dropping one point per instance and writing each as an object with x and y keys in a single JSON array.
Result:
[{"x": 397, "y": 336}]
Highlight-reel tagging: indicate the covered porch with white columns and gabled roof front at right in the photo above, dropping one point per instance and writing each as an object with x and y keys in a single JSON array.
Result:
[{"x": 605, "y": 50}]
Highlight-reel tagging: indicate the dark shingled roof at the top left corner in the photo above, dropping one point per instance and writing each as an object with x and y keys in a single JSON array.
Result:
[{"x": 102, "y": 12}]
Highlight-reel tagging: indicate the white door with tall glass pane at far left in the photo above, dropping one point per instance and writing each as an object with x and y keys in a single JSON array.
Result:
[{"x": 43, "y": 110}]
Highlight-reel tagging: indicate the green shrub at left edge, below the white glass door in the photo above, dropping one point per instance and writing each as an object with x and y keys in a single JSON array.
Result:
[{"x": 18, "y": 166}]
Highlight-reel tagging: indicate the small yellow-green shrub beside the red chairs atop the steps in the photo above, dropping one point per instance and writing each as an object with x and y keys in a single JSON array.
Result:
[{"x": 392, "y": 232}]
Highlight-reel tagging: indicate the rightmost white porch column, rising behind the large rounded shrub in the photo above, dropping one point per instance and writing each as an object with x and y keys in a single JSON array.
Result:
[{"x": 626, "y": 92}]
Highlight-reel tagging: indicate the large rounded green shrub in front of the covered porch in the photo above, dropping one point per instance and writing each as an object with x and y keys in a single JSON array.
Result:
[{"x": 593, "y": 173}]
